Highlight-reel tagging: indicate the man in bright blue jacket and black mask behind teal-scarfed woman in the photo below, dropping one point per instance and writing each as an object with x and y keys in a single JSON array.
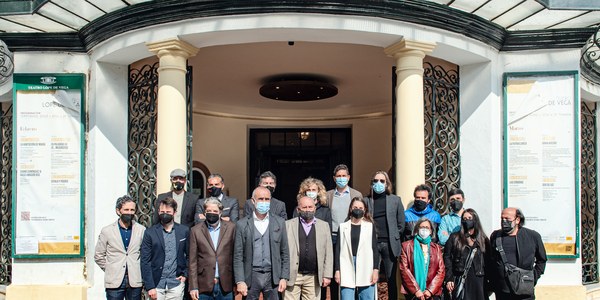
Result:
[{"x": 421, "y": 208}]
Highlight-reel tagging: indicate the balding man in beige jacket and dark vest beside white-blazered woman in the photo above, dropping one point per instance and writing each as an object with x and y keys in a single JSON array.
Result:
[{"x": 311, "y": 253}]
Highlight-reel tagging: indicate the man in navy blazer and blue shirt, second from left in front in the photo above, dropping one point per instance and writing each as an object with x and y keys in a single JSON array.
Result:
[{"x": 164, "y": 255}]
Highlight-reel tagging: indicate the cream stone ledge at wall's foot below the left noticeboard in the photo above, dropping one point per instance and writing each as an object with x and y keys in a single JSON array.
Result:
[{"x": 46, "y": 292}]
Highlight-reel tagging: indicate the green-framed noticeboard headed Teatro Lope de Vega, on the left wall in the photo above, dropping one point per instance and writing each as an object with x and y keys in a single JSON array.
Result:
[{"x": 48, "y": 165}]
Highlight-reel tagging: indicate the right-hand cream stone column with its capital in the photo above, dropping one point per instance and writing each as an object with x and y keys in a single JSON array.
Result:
[{"x": 410, "y": 131}]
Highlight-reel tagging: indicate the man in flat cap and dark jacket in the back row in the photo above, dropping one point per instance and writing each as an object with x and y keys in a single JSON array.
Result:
[{"x": 186, "y": 201}]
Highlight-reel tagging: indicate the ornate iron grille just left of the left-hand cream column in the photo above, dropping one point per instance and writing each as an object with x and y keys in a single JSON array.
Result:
[{"x": 143, "y": 95}]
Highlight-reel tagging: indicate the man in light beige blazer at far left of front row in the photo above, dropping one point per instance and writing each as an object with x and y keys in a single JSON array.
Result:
[{"x": 118, "y": 253}]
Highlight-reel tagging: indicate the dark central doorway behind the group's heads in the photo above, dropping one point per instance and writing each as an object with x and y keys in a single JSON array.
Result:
[{"x": 294, "y": 154}]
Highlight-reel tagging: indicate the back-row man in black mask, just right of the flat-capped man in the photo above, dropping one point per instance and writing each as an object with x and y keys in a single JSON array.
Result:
[{"x": 215, "y": 187}]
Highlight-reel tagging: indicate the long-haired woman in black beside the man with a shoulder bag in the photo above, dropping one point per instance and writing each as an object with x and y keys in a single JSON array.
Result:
[{"x": 465, "y": 257}]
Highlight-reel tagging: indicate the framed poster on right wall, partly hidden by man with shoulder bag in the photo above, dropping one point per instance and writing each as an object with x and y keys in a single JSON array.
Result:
[{"x": 541, "y": 155}]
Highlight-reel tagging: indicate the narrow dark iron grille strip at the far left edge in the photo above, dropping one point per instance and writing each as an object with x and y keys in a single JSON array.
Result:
[{"x": 6, "y": 194}]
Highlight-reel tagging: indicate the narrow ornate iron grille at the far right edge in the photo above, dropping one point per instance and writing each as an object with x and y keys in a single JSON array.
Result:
[{"x": 589, "y": 194}]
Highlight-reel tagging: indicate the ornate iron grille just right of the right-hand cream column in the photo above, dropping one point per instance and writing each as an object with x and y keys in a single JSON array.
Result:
[{"x": 442, "y": 156}]
